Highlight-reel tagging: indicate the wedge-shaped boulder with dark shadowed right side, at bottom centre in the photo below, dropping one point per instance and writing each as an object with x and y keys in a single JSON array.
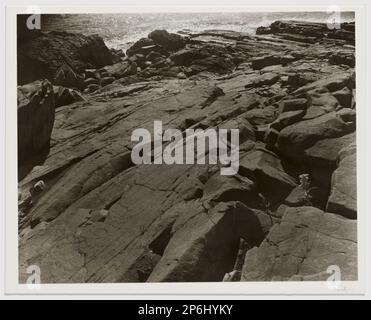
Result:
[{"x": 205, "y": 247}]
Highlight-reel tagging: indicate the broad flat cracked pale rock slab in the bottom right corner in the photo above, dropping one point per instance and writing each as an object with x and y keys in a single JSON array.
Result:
[{"x": 305, "y": 243}]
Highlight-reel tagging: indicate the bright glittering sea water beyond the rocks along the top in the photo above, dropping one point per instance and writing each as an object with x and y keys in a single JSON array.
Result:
[{"x": 120, "y": 30}]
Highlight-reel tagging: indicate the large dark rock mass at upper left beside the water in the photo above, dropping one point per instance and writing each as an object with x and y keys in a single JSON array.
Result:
[{"x": 42, "y": 54}]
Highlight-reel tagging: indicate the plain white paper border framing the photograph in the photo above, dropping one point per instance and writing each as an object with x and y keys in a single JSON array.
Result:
[{"x": 210, "y": 288}]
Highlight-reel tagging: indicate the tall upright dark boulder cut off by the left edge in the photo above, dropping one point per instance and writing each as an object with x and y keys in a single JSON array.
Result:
[{"x": 35, "y": 112}]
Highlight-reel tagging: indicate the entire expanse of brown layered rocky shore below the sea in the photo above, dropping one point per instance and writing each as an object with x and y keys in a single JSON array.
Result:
[{"x": 87, "y": 214}]
